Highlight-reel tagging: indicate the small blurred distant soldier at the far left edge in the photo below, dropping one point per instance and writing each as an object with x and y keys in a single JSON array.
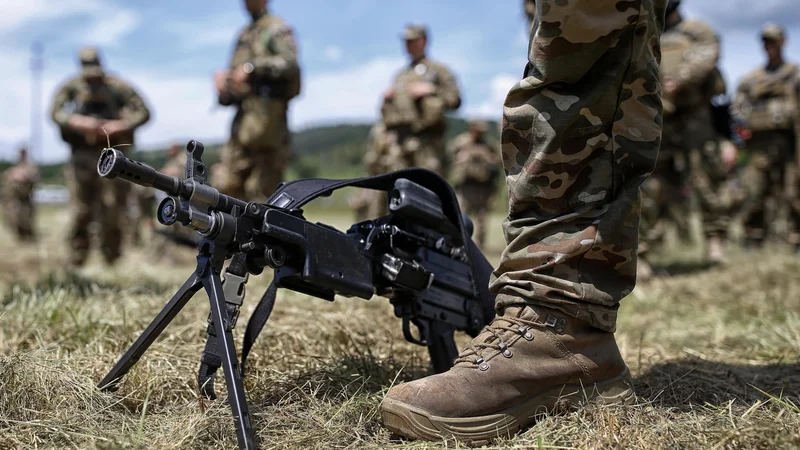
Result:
[{"x": 19, "y": 181}]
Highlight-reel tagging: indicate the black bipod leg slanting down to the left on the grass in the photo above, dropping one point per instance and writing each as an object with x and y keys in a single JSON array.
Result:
[{"x": 151, "y": 333}]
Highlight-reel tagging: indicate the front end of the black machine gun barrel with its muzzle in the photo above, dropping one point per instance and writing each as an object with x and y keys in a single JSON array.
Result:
[{"x": 114, "y": 164}]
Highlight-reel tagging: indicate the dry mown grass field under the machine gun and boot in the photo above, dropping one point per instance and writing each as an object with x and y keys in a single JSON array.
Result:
[{"x": 715, "y": 353}]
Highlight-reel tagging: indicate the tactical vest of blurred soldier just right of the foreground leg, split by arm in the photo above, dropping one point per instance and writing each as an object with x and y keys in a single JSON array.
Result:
[{"x": 676, "y": 50}]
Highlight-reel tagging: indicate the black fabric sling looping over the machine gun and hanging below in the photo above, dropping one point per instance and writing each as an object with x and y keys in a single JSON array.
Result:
[{"x": 296, "y": 194}]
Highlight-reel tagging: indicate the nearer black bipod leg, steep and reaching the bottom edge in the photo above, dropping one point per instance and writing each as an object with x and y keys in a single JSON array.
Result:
[{"x": 230, "y": 364}]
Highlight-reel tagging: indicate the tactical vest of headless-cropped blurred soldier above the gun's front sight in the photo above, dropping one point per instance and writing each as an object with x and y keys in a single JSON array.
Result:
[{"x": 255, "y": 41}]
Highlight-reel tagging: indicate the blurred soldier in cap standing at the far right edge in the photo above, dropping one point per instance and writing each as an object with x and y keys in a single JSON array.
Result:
[{"x": 767, "y": 103}]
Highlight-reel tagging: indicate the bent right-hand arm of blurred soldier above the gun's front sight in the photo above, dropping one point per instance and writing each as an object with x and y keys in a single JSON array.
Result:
[{"x": 279, "y": 39}]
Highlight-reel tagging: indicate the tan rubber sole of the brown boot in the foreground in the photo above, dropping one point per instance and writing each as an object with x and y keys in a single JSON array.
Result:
[{"x": 415, "y": 423}]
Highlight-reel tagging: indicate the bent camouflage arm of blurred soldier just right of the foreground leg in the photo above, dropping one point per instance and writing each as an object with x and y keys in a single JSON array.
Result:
[{"x": 703, "y": 58}]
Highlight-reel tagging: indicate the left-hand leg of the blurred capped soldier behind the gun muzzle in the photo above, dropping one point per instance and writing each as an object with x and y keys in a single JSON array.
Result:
[{"x": 85, "y": 187}]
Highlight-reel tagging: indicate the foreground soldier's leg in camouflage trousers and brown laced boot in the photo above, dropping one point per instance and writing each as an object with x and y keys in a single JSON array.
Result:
[{"x": 581, "y": 133}]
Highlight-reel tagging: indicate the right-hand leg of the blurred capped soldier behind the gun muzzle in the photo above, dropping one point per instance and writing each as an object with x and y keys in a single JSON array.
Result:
[{"x": 115, "y": 218}]
